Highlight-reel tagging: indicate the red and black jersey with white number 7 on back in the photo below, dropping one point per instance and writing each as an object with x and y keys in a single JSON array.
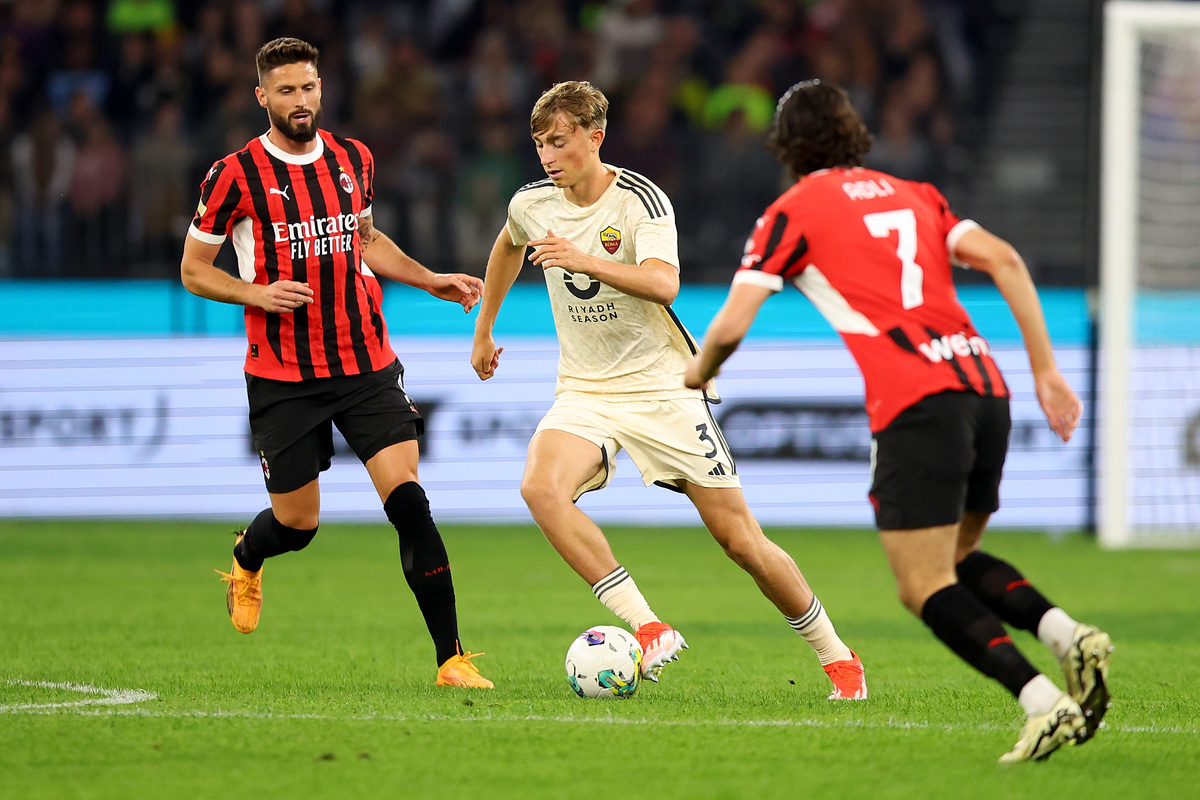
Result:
[{"x": 874, "y": 254}]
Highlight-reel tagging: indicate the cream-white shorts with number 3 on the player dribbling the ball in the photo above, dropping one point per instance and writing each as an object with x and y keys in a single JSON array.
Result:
[{"x": 670, "y": 441}]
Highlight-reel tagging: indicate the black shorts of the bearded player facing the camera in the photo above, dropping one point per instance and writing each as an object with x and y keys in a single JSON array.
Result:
[{"x": 291, "y": 423}]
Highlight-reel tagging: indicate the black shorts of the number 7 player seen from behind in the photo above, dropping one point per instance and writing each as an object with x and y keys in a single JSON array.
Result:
[{"x": 940, "y": 458}]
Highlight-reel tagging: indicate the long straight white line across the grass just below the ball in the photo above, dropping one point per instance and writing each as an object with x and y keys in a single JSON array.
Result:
[{"x": 886, "y": 725}]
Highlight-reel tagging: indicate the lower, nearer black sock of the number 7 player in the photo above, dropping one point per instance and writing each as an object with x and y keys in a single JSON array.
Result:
[{"x": 977, "y": 636}]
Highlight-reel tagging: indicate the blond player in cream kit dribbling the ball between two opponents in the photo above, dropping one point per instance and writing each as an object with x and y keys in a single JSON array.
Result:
[{"x": 607, "y": 242}]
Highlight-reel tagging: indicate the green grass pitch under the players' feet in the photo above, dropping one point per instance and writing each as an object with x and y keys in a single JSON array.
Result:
[{"x": 334, "y": 697}]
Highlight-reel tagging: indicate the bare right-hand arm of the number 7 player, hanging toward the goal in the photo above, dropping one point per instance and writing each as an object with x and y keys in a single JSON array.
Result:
[{"x": 989, "y": 254}]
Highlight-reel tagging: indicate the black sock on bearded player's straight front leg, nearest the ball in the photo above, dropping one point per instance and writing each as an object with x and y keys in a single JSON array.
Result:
[{"x": 427, "y": 566}]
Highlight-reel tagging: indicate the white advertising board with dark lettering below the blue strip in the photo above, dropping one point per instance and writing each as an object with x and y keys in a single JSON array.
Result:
[{"x": 158, "y": 428}]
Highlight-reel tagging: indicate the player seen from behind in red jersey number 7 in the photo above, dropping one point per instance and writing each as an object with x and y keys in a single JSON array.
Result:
[{"x": 874, "y": 254}]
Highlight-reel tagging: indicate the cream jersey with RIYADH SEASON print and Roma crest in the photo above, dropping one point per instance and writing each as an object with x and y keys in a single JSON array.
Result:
[{"x": 610, "y": 342}]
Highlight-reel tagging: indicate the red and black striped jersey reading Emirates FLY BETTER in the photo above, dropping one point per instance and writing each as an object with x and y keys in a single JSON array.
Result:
[{"x": 297, "y": 219}]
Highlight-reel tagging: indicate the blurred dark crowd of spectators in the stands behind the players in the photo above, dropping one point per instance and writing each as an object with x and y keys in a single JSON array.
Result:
[{"x": 112, "y": 111}]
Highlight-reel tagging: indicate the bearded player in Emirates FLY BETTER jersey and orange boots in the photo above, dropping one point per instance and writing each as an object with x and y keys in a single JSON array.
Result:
[{"x": 297, "y": 202}]
